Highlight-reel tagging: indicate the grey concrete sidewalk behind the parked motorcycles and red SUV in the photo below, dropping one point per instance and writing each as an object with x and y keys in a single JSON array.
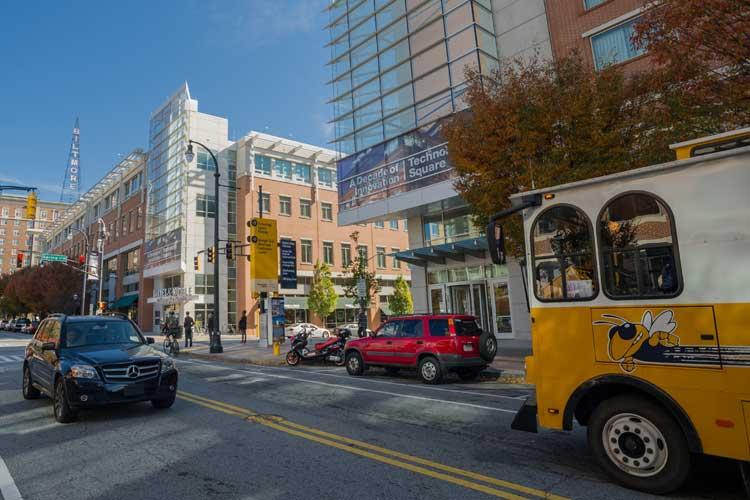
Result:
[{"x": 509, "y": 362}]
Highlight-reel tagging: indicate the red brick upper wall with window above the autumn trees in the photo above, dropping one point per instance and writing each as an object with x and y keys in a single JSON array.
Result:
[{"x": 599, "y": 30}]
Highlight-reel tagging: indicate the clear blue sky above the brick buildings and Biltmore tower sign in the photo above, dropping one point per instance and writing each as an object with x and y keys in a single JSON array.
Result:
[{"x": 260, "y": 63}]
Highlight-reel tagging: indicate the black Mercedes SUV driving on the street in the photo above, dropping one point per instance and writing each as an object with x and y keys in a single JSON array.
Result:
[{"x": 86, "y": 361}]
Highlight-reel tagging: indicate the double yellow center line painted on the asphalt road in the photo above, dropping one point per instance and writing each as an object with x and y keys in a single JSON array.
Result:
[{"x": 345, "y": 444}]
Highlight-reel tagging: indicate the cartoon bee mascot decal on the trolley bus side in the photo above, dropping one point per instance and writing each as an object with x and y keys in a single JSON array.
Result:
[{"x": 645, "y": 341}]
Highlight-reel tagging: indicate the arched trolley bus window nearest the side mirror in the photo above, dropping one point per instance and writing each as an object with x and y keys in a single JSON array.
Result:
[{"x": 562, "y": 247}]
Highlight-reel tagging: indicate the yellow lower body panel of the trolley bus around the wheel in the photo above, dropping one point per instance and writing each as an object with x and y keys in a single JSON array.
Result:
[{"x": 713, "y": 390}]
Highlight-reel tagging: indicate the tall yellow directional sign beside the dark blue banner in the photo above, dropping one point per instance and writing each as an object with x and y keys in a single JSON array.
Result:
[{"x": 264, "y": 255}]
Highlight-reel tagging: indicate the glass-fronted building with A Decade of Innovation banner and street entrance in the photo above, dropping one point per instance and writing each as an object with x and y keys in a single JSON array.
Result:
[{"x": 398, "y": 68}]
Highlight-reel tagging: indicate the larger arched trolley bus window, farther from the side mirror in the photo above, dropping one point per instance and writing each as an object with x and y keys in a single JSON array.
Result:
[{"x": 639, "y": 257}]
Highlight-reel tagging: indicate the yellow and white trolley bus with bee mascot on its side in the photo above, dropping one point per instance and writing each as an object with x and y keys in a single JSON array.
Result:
[{"x": 639, "y": 294}]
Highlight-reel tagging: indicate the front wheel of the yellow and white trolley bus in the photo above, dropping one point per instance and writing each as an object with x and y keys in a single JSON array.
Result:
[{"x": 630, "y": 424}]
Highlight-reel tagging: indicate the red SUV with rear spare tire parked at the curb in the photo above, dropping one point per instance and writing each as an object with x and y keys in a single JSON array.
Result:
[{"x": 434, "y": 344}]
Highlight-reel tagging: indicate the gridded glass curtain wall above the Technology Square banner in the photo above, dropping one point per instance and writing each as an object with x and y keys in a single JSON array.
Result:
[{"x": 399, "y": 64}]
